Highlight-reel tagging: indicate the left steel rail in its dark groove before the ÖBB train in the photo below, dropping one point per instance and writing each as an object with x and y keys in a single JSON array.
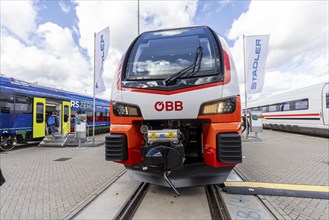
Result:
[{"x": 129, "y": 209}]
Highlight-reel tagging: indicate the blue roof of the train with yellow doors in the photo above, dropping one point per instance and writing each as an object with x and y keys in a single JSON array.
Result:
[{"x": 25, "y": 87}]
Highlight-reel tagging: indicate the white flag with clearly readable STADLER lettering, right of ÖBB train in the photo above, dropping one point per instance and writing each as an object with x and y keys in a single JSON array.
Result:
[{"x": 256, "y": 49}]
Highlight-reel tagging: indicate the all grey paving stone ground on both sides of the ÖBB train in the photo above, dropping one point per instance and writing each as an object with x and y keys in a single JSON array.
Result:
[{"x": 37, "y": 187}]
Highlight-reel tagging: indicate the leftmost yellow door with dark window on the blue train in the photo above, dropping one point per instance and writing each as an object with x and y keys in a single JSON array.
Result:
[{"x": 39, "y": 117}]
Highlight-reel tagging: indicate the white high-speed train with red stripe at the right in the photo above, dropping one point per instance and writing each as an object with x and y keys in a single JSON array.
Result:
[{"x": 302, "y": 111}]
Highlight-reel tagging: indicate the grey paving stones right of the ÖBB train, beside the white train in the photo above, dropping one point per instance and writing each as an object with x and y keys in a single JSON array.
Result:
[{"x": 289, "y": 159}]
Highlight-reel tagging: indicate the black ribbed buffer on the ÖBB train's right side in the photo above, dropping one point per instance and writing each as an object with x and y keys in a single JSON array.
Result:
[{"x": 229, "y": 148}]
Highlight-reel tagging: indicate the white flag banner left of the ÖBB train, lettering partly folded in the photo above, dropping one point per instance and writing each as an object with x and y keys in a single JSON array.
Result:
[{"x": 102, "y": 43}]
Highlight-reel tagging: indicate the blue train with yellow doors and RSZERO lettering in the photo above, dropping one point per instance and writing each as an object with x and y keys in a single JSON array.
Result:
[{"x": 25, "y": 107}]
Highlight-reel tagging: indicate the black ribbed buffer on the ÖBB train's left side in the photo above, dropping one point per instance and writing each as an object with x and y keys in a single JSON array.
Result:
[{"x": 116, "y": 147}]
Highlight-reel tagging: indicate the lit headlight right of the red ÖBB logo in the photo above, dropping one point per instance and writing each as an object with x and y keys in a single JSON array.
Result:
[{"x": 223, "y": 106}]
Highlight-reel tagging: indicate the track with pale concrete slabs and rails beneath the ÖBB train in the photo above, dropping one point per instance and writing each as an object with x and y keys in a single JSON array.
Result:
[{"x": 126, "y": 199}]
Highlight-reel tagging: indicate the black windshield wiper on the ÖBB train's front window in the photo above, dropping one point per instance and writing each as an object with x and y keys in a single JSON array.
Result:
[{"x": 195, "y": 67}]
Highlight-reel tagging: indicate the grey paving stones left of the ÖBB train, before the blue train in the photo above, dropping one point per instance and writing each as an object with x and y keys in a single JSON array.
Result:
[{"x": 37, "y": 187}]
